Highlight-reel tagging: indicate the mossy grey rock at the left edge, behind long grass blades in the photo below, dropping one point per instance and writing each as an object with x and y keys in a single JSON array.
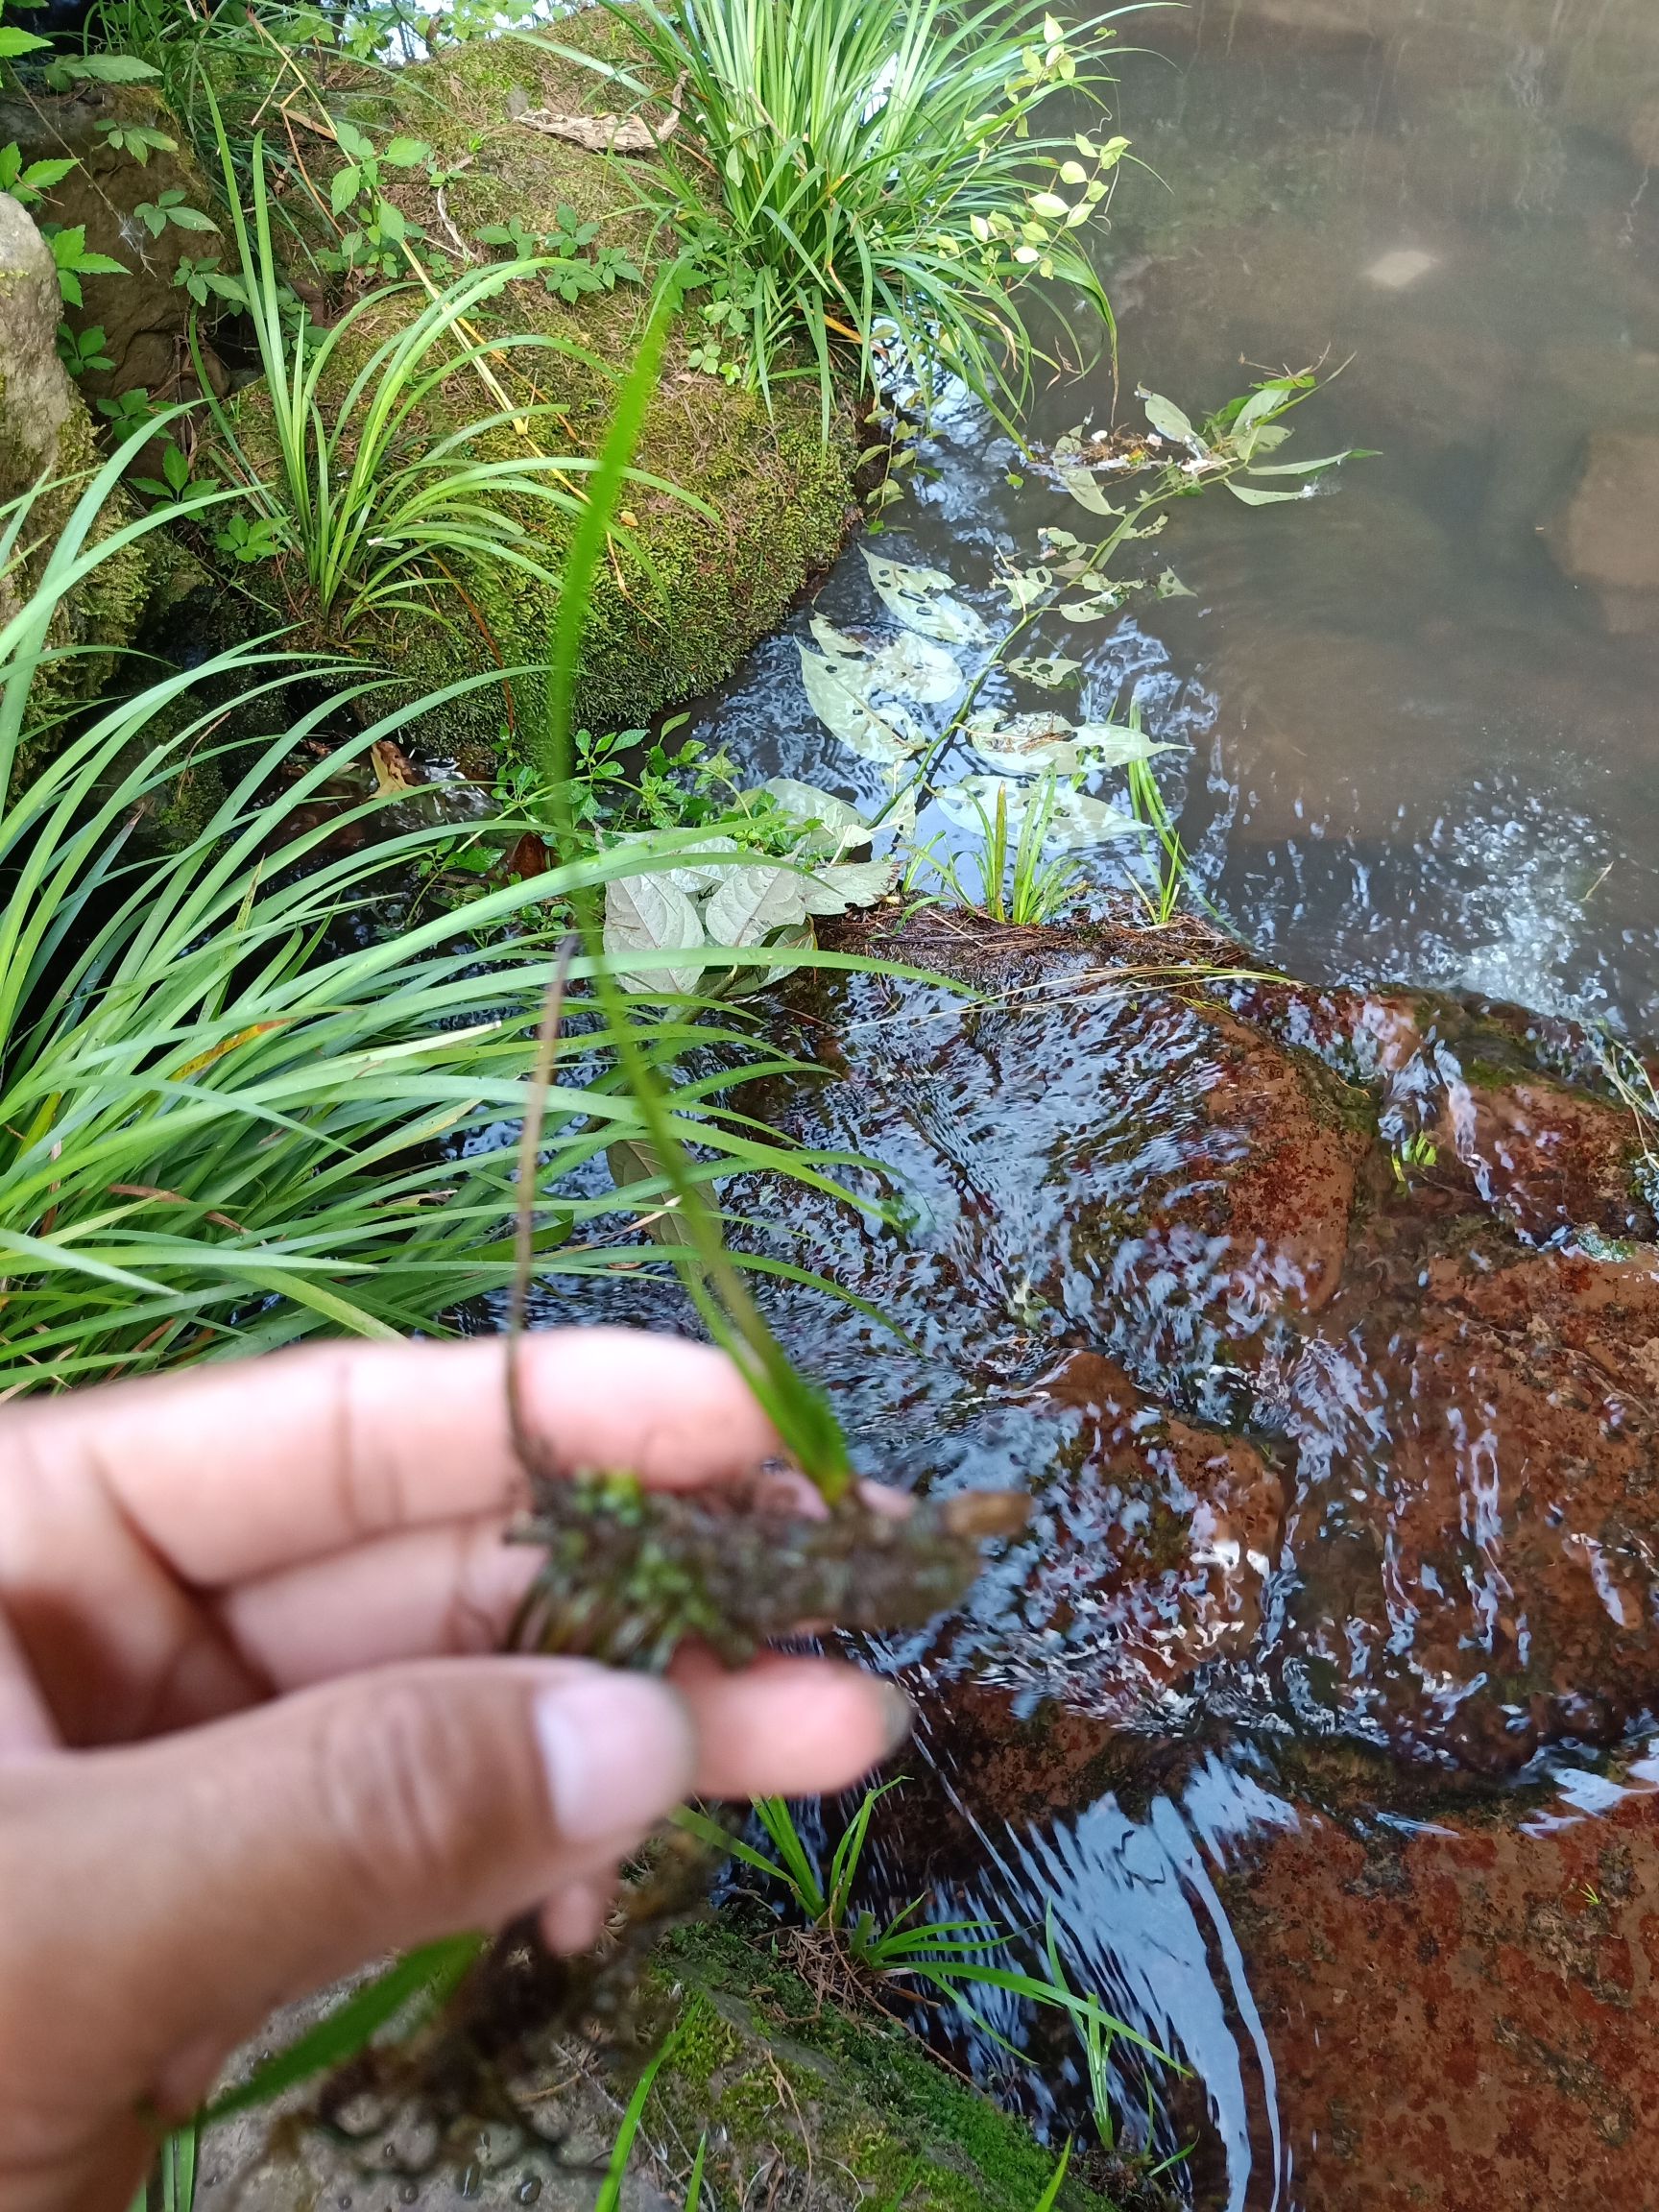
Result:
[{"x": 48, "y": 439}]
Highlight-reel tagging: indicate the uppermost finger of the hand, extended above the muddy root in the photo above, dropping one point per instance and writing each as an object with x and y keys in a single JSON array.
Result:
[{"x": 253, "y": 1465}]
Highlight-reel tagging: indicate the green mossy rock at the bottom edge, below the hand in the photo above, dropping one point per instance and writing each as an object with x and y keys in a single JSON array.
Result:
[{"x": 842, "y": 2111}]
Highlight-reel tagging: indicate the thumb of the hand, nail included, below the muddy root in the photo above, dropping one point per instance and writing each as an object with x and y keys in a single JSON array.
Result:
[{"x": 165, "y": 1899}]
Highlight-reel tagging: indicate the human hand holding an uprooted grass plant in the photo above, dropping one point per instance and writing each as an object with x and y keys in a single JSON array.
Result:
[{"x": 253, "y": 1720}]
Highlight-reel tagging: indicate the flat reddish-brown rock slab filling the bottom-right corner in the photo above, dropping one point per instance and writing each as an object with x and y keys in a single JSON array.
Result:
[{"x": 1461, "y": 2016}]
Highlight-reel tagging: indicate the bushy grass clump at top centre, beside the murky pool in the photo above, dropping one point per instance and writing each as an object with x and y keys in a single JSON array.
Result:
[{"x": 881, "y": 178}]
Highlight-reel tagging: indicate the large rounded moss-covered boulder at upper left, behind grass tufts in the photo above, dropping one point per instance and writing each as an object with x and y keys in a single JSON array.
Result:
[{"x": 685, "y": 592}]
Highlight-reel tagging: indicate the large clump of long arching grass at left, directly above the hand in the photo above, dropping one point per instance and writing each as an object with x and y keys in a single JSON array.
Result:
[{"x": 236, "y": 1116}]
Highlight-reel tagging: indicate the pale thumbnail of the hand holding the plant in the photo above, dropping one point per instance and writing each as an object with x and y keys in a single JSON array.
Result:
[{"x": 618, "y": 1753}]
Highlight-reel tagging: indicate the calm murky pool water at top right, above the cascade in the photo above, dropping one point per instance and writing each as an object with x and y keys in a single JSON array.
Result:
[{"x": 1421, "y": 709}]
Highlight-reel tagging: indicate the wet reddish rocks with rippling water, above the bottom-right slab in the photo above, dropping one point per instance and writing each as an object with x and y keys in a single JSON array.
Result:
[{"x": 1300, "y": 1313}]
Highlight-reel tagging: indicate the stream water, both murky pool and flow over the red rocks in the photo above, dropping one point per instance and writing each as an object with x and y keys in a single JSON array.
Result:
[{"x": 1417, "y": 738}]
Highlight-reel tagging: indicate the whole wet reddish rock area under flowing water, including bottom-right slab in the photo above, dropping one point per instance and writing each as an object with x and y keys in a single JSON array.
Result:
[{"x": 1324, "y": 1328}]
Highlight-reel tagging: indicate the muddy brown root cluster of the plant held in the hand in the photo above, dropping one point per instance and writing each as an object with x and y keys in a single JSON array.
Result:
[{"x": 629, "y": 1576}]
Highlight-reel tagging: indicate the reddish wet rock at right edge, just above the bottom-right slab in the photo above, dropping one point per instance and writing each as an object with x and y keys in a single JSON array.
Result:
[{"x": 1479, "y": 1514}]
